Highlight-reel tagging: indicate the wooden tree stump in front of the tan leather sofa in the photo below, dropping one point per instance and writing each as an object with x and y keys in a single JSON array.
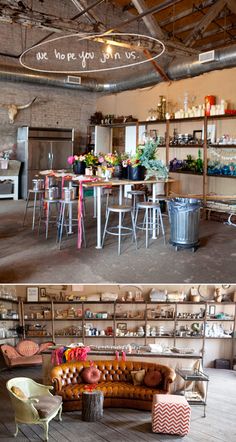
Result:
[{"x": 92, "y": 406}]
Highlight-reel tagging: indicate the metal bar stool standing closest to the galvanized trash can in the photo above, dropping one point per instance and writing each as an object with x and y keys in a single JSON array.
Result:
[{"x": 147, "y": 224}]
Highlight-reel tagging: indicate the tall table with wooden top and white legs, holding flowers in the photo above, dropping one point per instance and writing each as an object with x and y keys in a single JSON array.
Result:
[{"x": 120, "y": 183}]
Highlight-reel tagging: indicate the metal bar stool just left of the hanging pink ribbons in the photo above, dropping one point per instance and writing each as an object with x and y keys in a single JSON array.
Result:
[{"x": 66, "y": 220}]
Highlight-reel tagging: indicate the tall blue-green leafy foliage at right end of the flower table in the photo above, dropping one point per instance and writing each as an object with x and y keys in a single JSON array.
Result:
[{"x": 155, "y": 168}]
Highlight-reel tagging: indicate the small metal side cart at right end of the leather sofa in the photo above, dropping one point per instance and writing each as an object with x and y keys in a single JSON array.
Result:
[{"x": 192, "y": 379}]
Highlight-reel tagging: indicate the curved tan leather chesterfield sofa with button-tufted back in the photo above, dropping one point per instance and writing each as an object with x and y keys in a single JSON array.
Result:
[{"x": 115, "y": 383}]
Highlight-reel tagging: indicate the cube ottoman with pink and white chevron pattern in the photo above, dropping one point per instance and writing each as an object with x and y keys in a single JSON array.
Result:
[{"x": 170, "y": 414}]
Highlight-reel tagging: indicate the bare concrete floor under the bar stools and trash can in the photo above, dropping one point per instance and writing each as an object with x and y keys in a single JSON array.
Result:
[{"x": 27, "y": 258}]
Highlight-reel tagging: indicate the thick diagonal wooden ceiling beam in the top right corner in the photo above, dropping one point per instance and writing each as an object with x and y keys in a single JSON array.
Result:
[{"x": 204, "y": 22}]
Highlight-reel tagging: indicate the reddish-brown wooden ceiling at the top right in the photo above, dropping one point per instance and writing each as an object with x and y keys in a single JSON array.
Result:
[{"x": 200, "y": 24}]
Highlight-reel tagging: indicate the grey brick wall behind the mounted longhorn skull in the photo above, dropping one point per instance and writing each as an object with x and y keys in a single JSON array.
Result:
[{"x": 54, "y": 107}]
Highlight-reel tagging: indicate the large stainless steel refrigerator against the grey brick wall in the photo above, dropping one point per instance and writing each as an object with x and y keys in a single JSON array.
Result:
[{"x": 41, "y": 149}]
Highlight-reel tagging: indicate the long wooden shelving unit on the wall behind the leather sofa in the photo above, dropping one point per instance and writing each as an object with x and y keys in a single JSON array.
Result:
[{"x": 194, "y": 307}]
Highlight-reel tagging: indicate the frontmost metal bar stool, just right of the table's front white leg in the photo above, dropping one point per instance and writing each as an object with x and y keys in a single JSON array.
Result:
[{"x": 121, "y": 230}]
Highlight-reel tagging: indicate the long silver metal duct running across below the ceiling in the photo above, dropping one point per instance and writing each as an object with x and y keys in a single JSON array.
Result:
[{"x": 190, "y": 67}]
